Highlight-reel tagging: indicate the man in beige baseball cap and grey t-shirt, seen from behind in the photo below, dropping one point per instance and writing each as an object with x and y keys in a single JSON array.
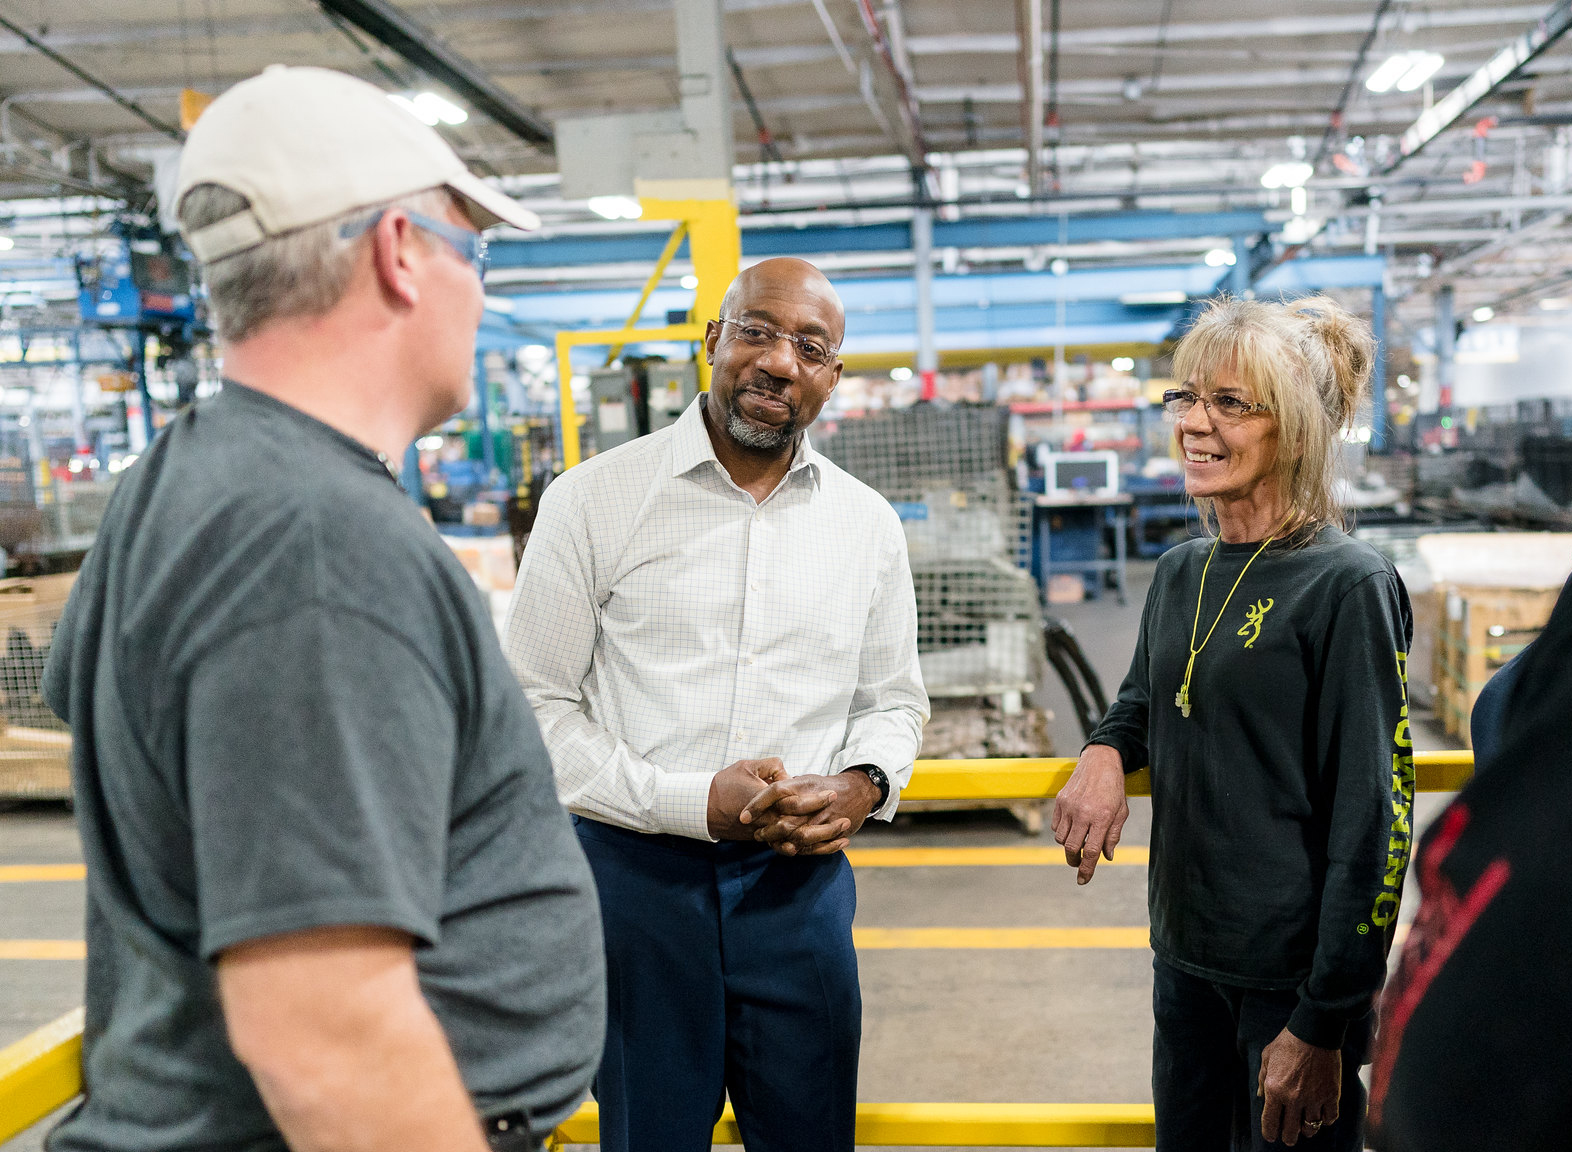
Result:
[{"x": 334, "y": 901}]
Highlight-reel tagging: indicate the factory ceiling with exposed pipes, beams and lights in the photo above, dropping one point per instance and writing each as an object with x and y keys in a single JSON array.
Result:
[{"x": 848, "y": 111}]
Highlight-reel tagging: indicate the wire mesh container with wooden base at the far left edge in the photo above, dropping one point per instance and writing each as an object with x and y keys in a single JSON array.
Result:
[{"x": 35, "y": 749}]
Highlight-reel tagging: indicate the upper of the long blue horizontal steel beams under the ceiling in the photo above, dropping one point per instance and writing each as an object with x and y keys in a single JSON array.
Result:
[{"x": 977, "y": 233}]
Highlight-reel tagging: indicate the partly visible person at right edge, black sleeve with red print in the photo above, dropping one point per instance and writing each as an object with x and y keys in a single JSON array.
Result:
[{"x": 1475, "y": 1041}]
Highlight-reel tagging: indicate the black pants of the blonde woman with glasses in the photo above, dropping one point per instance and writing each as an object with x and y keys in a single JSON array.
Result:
[{"x": 1207, "y": 1062}]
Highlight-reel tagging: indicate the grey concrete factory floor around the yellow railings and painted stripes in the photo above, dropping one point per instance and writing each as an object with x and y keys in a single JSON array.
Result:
[{"x": 1068, "y": 1025}]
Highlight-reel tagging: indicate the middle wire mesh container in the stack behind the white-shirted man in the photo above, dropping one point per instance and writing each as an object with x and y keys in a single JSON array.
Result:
[{"x": 972, "y": 521}]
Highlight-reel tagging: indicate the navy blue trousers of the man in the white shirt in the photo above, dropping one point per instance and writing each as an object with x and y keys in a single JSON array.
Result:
[{"x": 730, "y": 969}]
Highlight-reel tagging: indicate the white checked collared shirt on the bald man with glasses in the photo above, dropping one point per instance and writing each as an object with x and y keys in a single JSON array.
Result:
[{"x": 666, "y": 625}]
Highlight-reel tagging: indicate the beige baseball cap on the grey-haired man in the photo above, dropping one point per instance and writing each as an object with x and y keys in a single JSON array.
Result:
[{"x": 307, "y": 145}]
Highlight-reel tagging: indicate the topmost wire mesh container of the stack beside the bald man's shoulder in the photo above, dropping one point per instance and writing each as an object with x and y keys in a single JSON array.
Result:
[{"x": 909, "y": 449}]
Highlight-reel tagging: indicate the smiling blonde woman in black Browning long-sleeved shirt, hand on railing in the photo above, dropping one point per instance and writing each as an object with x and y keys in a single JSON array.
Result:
[{"x": 1269, "y": 697}]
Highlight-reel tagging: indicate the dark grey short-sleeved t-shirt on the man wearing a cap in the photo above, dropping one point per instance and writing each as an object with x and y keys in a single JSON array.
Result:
[{"x": 292, "y": 711}]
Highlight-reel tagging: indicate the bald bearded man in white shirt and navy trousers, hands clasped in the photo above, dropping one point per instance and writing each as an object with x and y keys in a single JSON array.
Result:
[{"x": 718, "y": 631}]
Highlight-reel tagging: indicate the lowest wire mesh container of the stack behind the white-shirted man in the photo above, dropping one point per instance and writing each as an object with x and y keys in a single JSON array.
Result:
[{"x": 979, "y": 629}]
